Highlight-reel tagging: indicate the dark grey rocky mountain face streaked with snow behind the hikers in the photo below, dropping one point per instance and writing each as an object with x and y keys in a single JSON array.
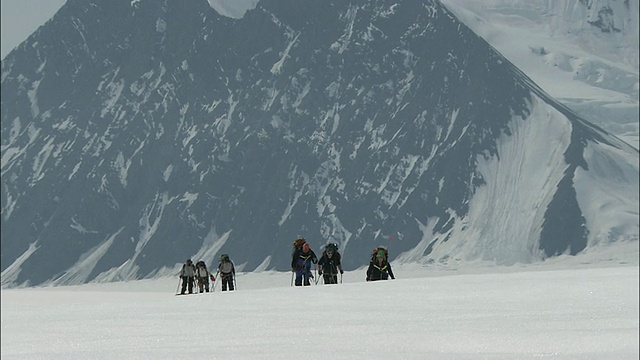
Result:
[{"x": 137, "y": 134}]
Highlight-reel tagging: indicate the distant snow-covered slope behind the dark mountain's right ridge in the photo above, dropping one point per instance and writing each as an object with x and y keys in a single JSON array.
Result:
[{"x": 582, "y": 52}]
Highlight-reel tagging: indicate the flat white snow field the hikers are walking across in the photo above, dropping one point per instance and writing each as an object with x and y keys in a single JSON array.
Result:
[{"x": 583, "y": 307}]
